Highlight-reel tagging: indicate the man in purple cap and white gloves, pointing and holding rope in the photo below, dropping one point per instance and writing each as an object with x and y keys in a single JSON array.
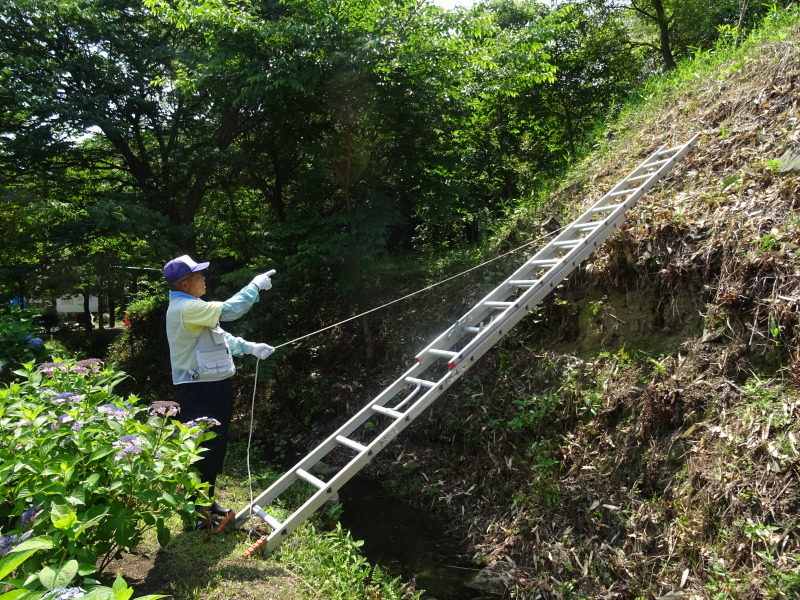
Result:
[{"x": 202, "y": 353}]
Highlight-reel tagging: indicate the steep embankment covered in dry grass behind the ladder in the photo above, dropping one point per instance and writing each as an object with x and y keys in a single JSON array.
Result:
[{"x": 639, "y": 436}]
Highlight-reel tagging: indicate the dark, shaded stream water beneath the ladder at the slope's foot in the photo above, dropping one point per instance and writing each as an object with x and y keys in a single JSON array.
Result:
[{"x": 407, "y": 542}]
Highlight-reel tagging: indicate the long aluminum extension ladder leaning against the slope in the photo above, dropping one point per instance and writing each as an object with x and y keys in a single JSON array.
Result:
[{"x": 448, "y": 357}]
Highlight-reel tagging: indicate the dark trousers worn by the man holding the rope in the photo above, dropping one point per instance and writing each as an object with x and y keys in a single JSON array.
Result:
[{"x": 209, "y": 399}]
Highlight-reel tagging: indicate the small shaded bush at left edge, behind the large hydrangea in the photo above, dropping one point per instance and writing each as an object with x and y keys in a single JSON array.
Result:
[{"x": 18, "y": 341}]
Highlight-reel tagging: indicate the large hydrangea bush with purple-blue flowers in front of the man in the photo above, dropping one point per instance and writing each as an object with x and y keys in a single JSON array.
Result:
[{"x": 87, "y": 470}]
